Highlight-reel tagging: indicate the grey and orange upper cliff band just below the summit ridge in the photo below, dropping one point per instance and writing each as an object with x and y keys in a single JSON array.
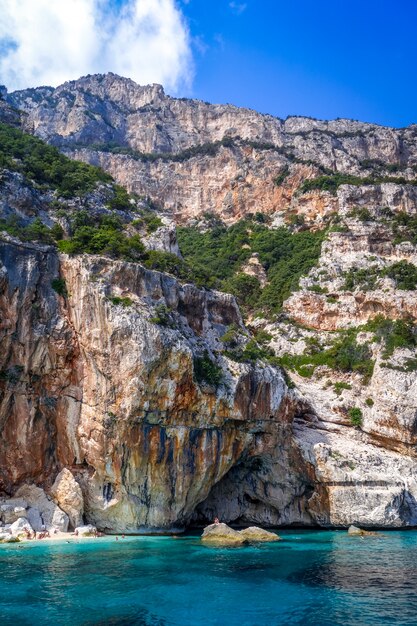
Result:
[{"x": 174, "y": 150}]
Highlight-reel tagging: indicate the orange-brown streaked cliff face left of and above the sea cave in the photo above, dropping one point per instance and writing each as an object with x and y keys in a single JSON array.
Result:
[{"x": 106, "y": 392}]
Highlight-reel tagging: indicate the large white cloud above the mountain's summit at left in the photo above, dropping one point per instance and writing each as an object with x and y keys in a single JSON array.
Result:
[{"x": 46, "y": 42}]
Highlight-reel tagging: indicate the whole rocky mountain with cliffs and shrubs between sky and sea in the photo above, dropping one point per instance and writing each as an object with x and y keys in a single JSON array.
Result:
[{"x": 166, "y": 407}]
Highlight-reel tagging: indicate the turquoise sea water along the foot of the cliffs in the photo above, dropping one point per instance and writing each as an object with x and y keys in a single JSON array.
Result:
[{"x": 310, "y": 578}]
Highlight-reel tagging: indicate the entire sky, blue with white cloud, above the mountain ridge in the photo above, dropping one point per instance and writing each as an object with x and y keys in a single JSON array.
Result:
[{"x": 326, "y": 59}]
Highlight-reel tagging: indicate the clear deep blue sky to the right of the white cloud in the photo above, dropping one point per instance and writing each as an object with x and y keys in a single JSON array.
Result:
[{"x": 355, "y": 59}]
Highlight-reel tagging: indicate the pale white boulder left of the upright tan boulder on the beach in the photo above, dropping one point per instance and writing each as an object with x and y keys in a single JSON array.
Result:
[{"x": 43, "y": 511}]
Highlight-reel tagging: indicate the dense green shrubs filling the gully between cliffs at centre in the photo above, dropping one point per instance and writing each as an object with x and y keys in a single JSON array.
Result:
[{"x": 222, "y": 251}]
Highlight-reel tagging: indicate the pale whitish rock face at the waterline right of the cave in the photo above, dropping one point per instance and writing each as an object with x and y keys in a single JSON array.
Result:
[{"x": 361, "y": 484}]
